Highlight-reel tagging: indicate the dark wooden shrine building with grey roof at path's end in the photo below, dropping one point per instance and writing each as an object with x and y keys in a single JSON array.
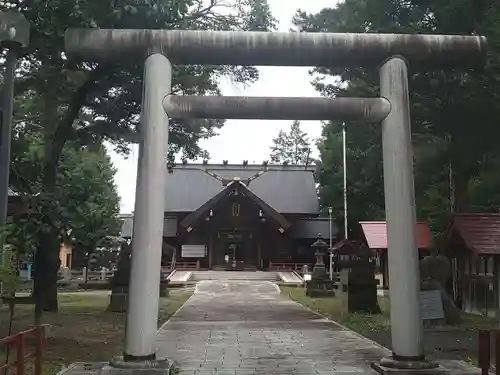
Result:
[{"x": 252, "y": 217}]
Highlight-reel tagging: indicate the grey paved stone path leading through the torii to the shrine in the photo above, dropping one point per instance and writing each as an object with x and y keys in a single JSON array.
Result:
[{"x": 247, "y": 327}]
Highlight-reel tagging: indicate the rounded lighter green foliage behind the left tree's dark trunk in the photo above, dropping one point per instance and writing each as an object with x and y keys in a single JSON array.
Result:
[{"x": 85, "y": 201}]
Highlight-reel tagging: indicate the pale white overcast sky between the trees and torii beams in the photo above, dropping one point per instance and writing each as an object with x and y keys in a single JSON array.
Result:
[{"x": 242, "y": 140}]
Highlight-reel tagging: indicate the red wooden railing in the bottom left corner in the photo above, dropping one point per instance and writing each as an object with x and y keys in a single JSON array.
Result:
[{"x": 17, "y": 342}]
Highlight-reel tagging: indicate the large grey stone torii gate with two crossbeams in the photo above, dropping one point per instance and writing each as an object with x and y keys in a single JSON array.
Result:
[{"x": 389, "y": 52}]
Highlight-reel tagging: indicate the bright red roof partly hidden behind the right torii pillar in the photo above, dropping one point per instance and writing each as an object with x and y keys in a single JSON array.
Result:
[{"x": 376, "y": 234}]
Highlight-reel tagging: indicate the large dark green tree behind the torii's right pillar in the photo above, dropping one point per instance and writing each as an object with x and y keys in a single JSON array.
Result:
[{"x": 454, "y": 112}]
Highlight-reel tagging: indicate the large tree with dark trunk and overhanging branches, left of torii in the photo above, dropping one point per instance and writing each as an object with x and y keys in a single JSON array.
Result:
[{"x": 83, "y": 103}]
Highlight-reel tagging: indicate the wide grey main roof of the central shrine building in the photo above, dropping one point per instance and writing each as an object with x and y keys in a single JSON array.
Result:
[{"x": 287, "y": 189}]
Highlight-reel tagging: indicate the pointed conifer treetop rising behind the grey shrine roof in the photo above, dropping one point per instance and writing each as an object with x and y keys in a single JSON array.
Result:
[{"x": 291, "y": 147}]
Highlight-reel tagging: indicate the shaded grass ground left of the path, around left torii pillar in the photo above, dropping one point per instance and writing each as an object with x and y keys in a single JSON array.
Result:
[{"x": 83, "y": 330}]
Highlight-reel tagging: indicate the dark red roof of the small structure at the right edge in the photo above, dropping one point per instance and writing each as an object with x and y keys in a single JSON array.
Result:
[{"x": 480, "y": 232}]
